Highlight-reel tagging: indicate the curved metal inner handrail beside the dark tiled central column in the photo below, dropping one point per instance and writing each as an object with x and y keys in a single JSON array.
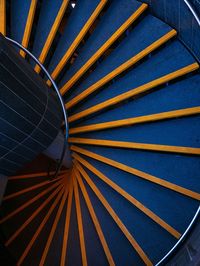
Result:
[{"x": 58, "y": 94}]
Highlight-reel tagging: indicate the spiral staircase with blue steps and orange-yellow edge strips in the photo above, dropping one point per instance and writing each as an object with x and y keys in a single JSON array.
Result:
[{"x": 131, "y": 91}]
